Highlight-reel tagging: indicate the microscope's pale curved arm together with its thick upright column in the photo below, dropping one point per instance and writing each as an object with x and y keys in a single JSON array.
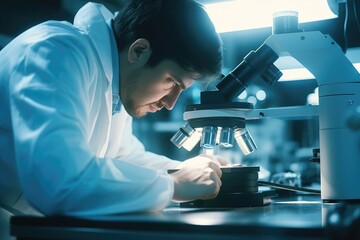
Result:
[{"x": 339, "y": 95}]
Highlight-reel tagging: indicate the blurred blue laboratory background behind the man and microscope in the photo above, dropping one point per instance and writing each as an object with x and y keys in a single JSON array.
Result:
[{"x": 287, "y": 147}]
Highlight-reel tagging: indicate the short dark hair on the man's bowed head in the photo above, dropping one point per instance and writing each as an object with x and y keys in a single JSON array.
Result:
[{"x": 179, "y": 30}]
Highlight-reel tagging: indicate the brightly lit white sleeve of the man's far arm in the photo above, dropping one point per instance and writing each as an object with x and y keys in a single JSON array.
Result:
[{"x": 130, "y": 149}]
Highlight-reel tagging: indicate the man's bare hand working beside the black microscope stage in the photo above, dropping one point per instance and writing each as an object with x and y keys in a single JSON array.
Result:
[{"x": 197, "y": 178}]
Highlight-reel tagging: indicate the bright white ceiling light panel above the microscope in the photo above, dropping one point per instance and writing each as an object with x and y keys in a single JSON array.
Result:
[{"x": 239, "y": 15}]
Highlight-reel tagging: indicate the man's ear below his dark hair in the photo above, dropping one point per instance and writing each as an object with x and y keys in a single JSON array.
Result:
[{"x": 139, "y": 50}]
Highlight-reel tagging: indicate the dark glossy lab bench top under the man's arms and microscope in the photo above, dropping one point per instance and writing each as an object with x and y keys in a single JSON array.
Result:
[{"x": 296, "y": 217}]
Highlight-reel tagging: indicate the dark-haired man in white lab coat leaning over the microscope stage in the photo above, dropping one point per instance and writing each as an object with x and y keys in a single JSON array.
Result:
[{"x": 68, "y": 95}]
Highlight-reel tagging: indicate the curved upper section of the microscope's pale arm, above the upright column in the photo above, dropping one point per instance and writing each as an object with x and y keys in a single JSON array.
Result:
[{"x": 318, "y": 53}]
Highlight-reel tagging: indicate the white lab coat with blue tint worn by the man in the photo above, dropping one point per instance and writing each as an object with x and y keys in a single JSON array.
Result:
[{"x": 60, "y": 145}]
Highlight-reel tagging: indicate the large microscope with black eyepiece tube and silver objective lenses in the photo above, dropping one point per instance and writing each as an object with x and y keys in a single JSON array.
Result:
[{"x": 219, "y": 118}]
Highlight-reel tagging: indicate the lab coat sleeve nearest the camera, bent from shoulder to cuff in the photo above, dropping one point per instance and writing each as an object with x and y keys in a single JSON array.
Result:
[{"x": 58, "y": 172}]
